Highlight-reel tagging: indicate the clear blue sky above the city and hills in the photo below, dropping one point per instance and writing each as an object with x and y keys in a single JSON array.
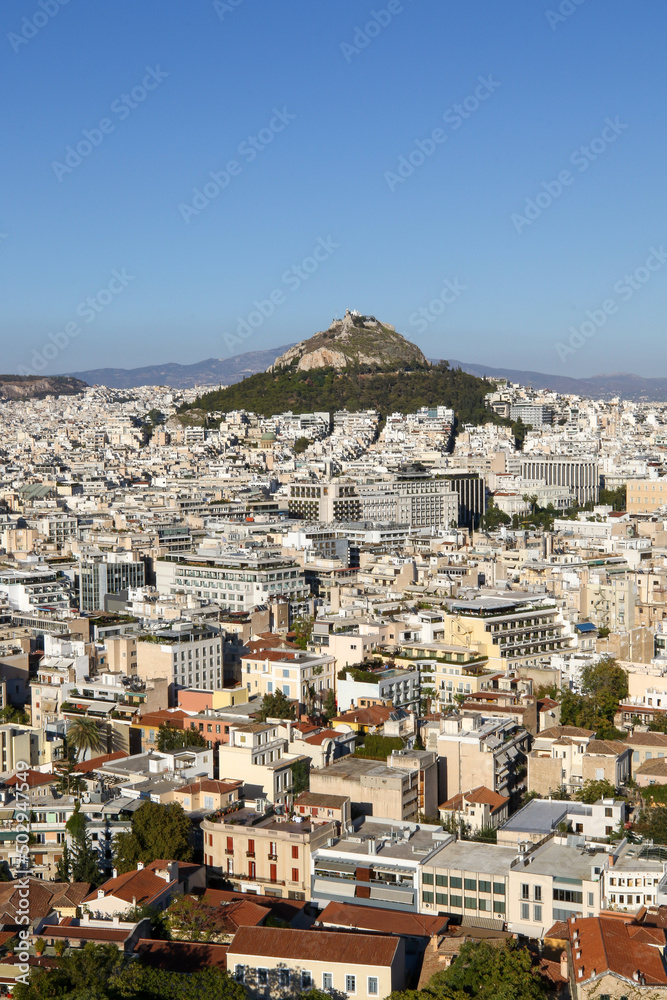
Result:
[{"x": 305, "y": 110}]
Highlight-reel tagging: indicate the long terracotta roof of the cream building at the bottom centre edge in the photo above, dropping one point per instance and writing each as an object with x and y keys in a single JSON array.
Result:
[{"x": 304, "y": 946}]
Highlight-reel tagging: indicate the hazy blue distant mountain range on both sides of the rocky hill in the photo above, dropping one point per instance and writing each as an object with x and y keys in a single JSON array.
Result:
[{"x": 227, "y": 371}]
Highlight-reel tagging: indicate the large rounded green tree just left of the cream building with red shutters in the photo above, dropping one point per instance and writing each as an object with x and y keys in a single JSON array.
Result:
[{"x": 158, "y": 831}]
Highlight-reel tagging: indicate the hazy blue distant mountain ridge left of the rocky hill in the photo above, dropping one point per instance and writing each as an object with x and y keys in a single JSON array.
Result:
[{"x": 212, "y": 371}]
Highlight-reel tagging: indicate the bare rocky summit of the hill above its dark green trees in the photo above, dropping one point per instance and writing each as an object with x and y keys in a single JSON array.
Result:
[{"x": 353, "y": 340}]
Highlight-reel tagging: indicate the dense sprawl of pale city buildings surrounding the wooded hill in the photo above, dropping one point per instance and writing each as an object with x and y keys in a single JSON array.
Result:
[{"x": 345, "y": 702}]
